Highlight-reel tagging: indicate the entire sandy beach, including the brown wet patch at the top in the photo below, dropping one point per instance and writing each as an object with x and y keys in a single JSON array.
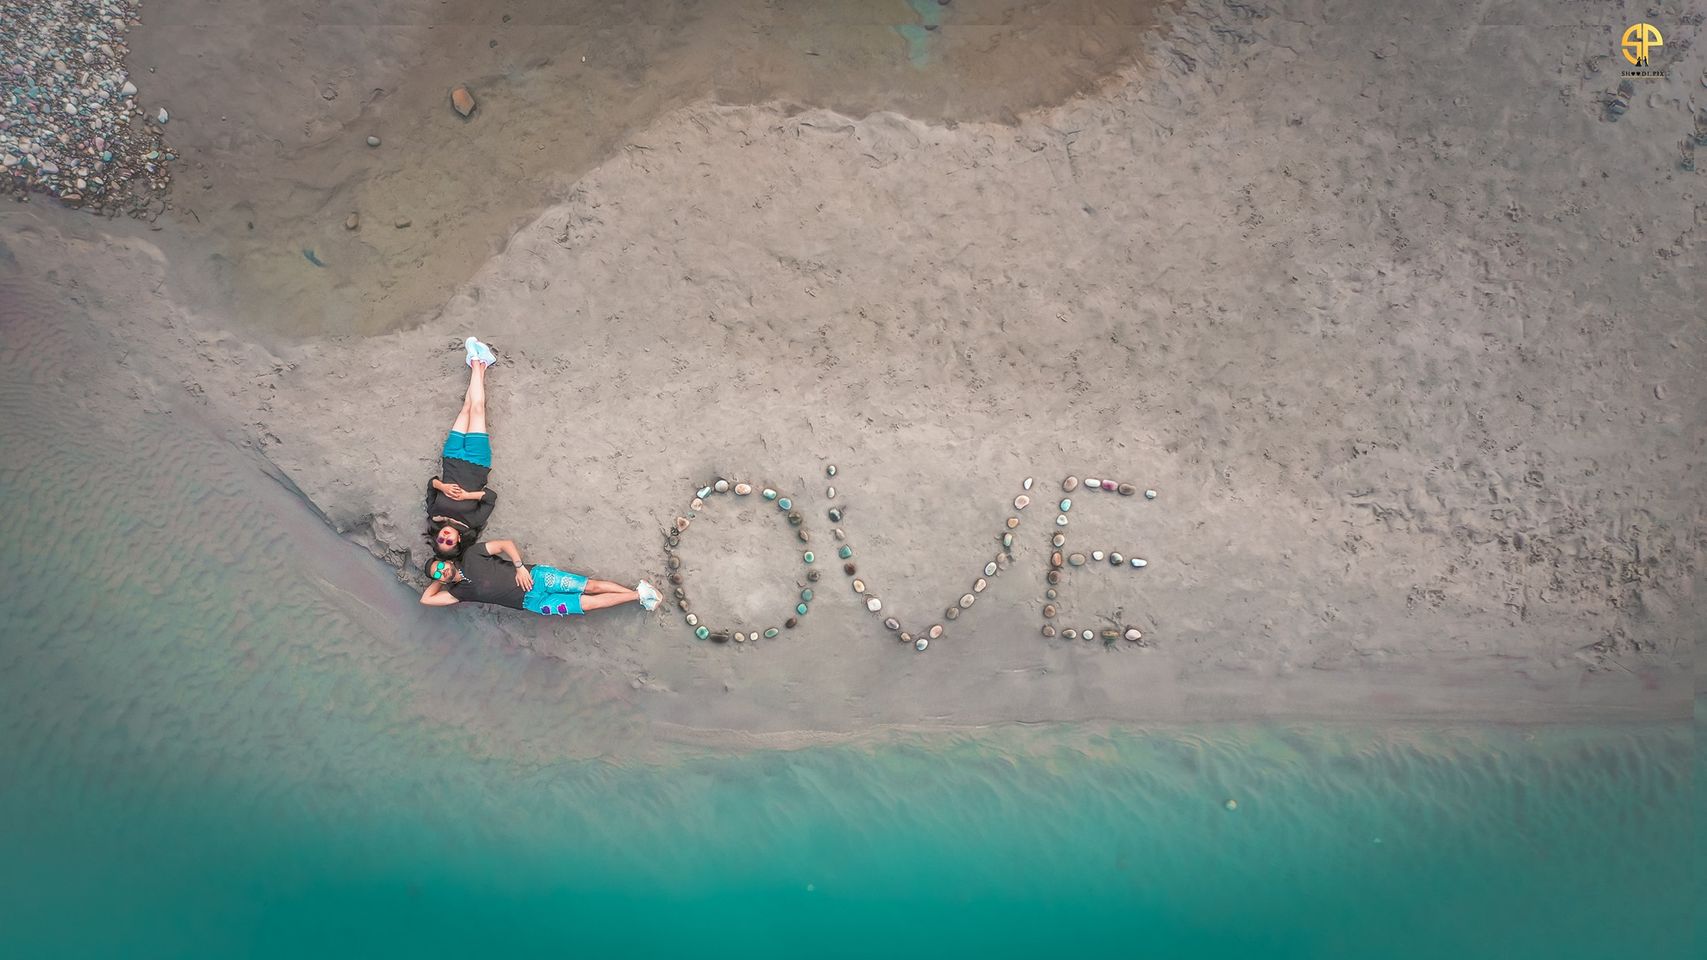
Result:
[{"x": 1402, "y": 327}]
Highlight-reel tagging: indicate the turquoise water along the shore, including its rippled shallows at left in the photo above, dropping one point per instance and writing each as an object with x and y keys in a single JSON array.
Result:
[{"x": 228, "y": 734}]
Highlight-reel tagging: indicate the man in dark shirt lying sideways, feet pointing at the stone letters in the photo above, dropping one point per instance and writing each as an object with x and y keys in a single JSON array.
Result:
[{"x": 496, "y": 575}]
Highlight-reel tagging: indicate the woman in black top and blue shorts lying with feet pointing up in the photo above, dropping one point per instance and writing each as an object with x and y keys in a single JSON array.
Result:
[{"x": 458, "y": 501}]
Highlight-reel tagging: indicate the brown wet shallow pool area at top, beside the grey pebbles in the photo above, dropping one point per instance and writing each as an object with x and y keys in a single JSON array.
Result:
[{"x": 274, "y": 102}]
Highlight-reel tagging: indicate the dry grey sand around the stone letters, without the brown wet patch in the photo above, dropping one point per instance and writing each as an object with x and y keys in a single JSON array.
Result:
[{"x": 1419, "y": 390}]
